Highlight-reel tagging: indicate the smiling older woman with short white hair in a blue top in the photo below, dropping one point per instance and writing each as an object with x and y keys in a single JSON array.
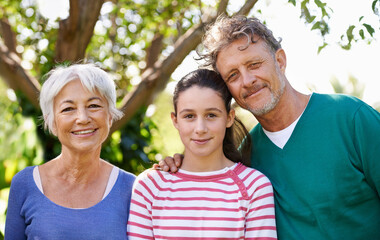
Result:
[{"x": 77, "y": 195}]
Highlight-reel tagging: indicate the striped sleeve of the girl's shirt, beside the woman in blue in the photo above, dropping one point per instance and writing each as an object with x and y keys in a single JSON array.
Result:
[{"x": 140, "y": 225}]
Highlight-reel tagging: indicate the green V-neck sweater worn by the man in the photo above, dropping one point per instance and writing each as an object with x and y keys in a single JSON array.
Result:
[{"x": 326, "y": 179}]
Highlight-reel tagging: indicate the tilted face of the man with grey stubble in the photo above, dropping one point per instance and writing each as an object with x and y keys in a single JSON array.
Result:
[{"x": 254, "y": 76}]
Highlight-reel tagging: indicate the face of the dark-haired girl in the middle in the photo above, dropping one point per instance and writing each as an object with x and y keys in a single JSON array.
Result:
[{"x": 201, "y": 121}]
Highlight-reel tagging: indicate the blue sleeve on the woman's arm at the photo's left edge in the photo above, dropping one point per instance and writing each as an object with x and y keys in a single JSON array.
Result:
[{"x": 15, "y": 223}]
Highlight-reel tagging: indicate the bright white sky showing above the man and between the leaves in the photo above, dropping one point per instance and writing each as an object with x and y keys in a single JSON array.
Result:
[{"x": 305, "y": 67}]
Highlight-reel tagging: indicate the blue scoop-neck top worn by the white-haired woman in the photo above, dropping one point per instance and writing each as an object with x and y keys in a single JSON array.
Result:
[{"x": 31, "y": 215}]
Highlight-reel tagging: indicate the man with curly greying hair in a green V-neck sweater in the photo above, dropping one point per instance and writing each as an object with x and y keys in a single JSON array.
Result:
[{"x": 320, "y": 151}]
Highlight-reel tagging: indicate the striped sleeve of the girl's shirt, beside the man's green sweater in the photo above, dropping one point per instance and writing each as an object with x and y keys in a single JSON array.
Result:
[{"x": 260, "y": 220}]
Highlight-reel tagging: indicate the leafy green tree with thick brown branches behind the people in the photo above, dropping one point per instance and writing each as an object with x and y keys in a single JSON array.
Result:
[{"x": 139, "y": 42}]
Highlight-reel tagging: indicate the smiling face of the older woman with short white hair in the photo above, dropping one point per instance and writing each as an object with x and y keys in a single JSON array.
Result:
[{"x": 81, "y": 118}]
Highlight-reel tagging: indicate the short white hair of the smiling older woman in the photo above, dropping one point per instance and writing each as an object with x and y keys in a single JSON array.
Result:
[{"x": 91, "y": 77}]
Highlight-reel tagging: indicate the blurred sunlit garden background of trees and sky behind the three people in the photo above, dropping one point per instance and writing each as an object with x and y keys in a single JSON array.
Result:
[{"x": 147, "y": 46}]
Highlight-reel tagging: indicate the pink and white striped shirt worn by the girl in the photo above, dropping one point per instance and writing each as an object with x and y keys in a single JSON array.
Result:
[{"x": 233, "y": 203}]
